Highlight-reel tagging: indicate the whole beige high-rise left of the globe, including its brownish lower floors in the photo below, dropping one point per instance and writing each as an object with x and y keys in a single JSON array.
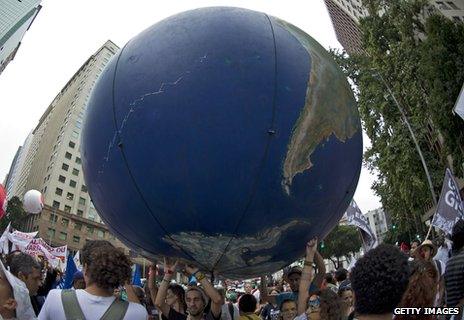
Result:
[{"x": 50, "y": 162}]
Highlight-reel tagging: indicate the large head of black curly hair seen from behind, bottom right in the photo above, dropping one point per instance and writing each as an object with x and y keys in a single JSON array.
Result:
[{"x": 379, "y": 280}]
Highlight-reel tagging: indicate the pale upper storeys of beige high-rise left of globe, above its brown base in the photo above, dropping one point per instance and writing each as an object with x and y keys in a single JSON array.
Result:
[{"x": 55, "y": 168}]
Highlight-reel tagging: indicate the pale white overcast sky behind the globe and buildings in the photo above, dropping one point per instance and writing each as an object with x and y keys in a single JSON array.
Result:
[{"x": 66, "y": 33}]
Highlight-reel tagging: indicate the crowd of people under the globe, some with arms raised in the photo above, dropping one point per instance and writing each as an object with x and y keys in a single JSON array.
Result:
[{"x": 385, "y": 278}]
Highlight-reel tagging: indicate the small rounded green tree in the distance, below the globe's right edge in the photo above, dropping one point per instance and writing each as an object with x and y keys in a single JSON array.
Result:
[{"x": 342, "y": 241}]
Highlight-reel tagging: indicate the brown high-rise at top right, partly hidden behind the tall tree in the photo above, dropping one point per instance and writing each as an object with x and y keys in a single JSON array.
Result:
[{"x": 345, "y": 16}]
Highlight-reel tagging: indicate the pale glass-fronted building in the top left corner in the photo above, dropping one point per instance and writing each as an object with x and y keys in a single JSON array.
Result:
[{"x": 16, "y": 16}]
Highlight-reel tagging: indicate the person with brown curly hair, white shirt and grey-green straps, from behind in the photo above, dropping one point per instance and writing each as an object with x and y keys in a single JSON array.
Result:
[{"x": 105, "y": 268}]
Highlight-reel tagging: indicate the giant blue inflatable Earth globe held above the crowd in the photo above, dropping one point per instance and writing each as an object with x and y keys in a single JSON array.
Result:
[{"x": 222, "y": 136}]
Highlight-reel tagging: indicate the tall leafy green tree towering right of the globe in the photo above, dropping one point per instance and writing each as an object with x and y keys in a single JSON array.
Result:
[{"x": 421, "y": 58}]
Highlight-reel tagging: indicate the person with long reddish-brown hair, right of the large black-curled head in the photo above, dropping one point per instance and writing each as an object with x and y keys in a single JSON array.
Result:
[{"x": 422, "y": 289}]
